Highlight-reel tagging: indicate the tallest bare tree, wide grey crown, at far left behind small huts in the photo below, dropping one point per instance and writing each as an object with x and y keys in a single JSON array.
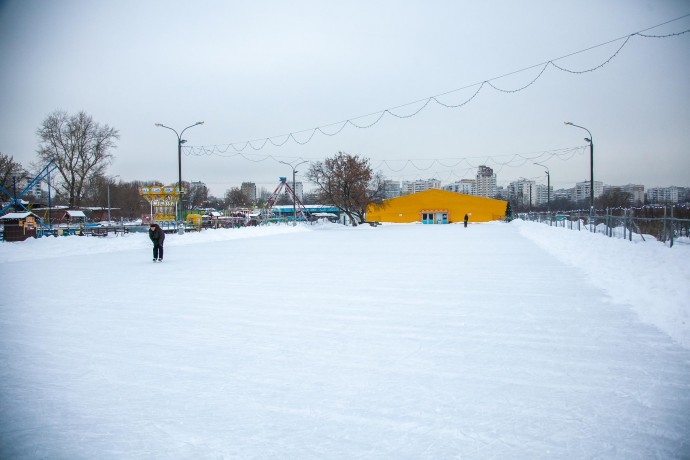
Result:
[{"x": 80, "y": 148}]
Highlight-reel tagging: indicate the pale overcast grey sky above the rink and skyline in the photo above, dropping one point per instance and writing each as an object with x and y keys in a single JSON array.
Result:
[{"x": 259, "y": 69}]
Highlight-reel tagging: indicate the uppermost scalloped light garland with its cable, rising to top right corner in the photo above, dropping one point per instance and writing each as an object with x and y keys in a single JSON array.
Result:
[{"x": 259, "y": 144}]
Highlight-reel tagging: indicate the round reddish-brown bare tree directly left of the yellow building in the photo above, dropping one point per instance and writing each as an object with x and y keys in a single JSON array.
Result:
[{"x": 348, "y": 182}]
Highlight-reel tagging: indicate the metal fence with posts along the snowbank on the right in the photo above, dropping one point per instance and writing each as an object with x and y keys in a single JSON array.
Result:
[{"x": 622, "y": 223}]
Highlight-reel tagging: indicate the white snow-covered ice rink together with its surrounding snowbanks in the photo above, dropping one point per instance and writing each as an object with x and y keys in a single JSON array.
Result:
[{"x": 402, "y": 341}]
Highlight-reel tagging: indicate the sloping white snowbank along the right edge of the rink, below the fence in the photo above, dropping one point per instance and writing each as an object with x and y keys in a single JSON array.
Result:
[{"x": 651, "y": 277}]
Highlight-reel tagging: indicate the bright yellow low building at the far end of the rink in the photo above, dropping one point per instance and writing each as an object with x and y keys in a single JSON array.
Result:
[{"x": 437, "y": 207}]
